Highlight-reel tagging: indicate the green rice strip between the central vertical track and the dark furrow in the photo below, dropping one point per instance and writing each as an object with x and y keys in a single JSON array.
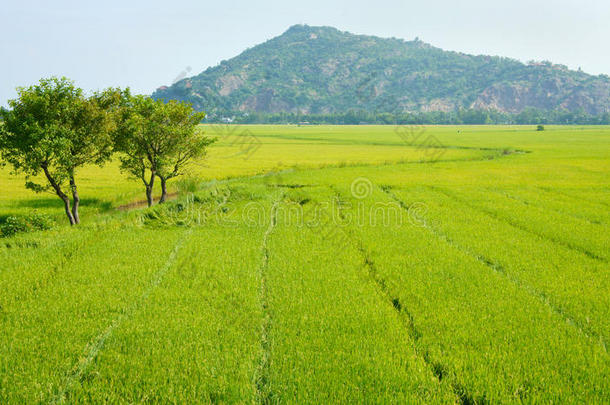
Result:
[{"x": 335, "y": 337}]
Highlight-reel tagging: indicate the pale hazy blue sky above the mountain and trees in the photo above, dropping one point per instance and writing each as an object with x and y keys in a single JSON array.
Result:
[{"x": 145, "y": 44}]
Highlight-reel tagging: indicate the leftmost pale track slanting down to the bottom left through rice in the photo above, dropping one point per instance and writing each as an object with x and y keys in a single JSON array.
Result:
[{"x": 97, "y": 344}]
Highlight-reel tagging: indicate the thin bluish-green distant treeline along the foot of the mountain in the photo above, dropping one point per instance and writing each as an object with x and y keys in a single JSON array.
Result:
[{"x": 458, "y": 117}]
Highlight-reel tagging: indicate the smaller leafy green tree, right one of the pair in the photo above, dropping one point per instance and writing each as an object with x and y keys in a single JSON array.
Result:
[{"x": 156, "y": 139}]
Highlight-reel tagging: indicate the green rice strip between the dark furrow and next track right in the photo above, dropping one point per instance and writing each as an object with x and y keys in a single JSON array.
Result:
[{"x": 478, "y": 327}]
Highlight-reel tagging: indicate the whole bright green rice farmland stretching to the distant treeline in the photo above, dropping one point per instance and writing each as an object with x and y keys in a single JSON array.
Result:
[{"x": 322, "y": 264}]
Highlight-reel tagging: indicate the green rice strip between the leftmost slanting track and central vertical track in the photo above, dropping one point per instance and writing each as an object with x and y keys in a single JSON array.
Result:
[{"x": 198, "y": 337}]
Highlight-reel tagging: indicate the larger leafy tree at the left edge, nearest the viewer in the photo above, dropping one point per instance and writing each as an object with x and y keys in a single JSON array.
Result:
[{"x": 53, "y": 128}]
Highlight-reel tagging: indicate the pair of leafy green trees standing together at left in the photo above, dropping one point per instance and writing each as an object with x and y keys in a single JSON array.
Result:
[{"x": 53, "y": 128}]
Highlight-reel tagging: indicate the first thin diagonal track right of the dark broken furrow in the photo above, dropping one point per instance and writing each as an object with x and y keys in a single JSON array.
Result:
[{"x": 491, "y": 264}]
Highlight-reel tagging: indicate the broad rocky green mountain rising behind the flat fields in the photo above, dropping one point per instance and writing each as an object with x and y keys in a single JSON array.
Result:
[{"x": 321, "y": 70}]
